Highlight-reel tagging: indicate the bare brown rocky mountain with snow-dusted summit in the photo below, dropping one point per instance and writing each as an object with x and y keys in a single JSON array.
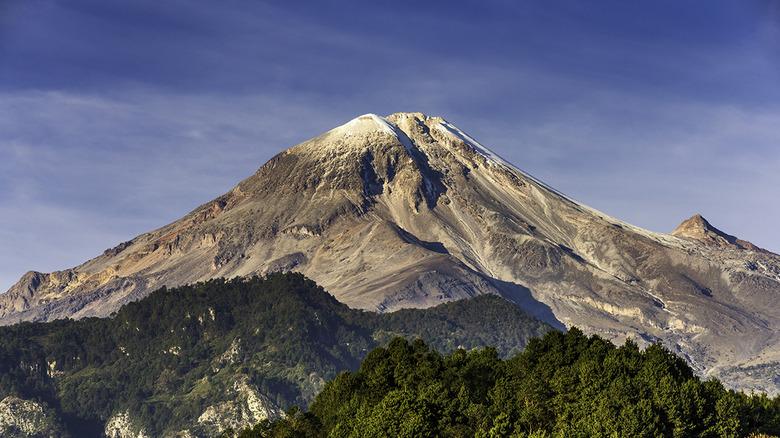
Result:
[{"x": 409, "y": 211}]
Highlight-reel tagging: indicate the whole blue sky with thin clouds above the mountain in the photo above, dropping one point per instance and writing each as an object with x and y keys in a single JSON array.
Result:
[{"x": 118, "y": 117}]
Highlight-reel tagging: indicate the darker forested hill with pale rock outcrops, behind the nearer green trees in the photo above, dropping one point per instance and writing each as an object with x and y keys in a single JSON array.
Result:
[{"x": 169, "y": 357}]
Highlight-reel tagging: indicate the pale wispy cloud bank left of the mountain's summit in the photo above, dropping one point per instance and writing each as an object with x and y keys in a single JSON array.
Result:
[{"x": 84, "y": 172}]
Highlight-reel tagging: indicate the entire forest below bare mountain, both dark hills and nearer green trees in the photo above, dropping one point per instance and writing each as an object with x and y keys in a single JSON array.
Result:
[{"x": 472, "y": 368}]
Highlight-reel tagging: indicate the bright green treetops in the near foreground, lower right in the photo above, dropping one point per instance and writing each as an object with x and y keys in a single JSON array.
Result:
[{"x": 563, "y": 385}]
